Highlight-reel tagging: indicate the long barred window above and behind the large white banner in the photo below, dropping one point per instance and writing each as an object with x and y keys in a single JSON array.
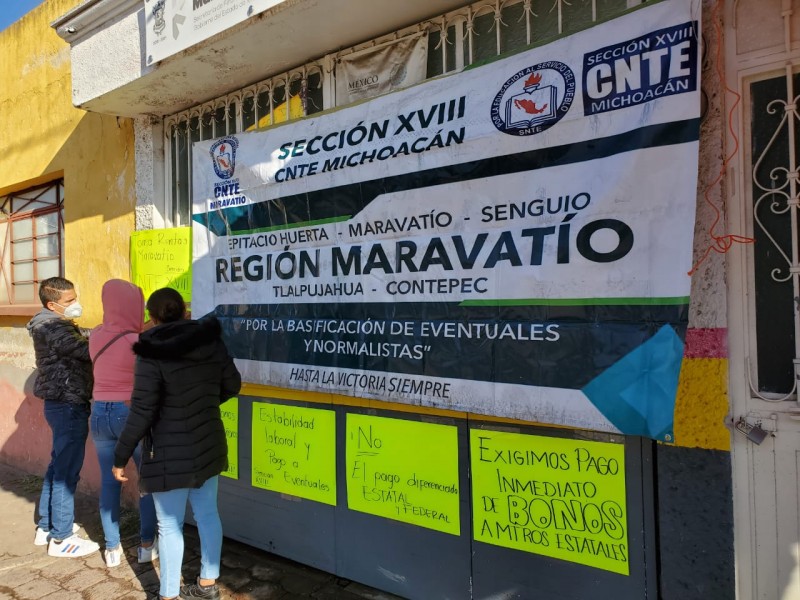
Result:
[{"x": 476, "y": 32}]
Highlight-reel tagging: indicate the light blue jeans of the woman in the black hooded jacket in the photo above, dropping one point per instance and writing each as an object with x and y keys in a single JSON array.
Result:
[{"x": 171, "y": 509}]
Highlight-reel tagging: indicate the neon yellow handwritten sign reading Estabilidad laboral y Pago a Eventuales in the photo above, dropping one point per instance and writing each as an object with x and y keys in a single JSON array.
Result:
[{"x": 294, "y": 451}]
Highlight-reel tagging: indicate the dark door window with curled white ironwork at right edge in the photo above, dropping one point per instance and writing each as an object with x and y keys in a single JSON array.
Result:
[{"x": 775, "y": 145}]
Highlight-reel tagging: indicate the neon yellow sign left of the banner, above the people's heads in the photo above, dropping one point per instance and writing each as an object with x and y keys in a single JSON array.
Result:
[{"x": 162, "y": 258}]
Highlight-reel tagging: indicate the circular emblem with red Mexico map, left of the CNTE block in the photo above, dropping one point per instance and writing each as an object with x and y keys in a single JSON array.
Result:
[{"x": 534, "y": 99}]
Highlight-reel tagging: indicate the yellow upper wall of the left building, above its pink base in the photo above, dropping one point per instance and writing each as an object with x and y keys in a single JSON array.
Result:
[{"x": 43, "y": 136}]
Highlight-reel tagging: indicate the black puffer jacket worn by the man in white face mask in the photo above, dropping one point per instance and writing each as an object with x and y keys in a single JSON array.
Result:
[{"x": 62, "y": 359}]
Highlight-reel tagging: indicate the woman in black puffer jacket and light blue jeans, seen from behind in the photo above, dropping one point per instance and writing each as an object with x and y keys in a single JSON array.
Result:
[{"x": 183, "y": 373}]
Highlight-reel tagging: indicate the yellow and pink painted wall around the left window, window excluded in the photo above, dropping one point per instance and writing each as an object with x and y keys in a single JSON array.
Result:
[{"x": 44, "y": 137}]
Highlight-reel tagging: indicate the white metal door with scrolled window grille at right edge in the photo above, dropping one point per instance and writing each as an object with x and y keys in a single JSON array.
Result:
[{"x": 763, "y": 177}]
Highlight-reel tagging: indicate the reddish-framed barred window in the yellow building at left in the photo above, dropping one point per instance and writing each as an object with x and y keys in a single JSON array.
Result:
[{"x": 32, "y": 233}]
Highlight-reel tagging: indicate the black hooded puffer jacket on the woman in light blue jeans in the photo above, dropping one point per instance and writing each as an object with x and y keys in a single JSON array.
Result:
[{"x": 183, "y": 373}]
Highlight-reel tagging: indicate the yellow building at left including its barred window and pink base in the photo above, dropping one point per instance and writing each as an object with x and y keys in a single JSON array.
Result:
[{"x": 61, "y": 164}]
